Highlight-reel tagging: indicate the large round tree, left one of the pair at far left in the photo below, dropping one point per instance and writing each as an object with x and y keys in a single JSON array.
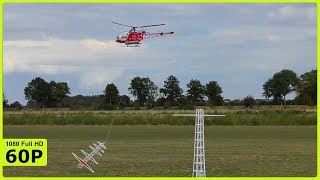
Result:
[{"x": 38, "y": 90}]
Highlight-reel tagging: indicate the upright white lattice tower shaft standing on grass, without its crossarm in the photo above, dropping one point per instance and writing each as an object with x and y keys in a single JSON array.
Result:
[{"x": 199, "y": 165}]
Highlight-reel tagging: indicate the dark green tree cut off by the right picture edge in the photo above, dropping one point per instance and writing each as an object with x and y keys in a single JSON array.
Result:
[{"x": 307, "y": 88}]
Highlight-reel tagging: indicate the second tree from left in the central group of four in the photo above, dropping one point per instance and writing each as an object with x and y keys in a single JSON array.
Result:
[{"x": 171, "y": 90}]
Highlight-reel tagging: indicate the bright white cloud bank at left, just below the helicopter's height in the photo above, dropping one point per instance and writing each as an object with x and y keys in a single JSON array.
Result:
[{"x": 104, "y": 60}]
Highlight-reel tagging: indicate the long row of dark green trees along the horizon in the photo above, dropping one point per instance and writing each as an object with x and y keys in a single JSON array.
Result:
[{"x": 42, "y": 94}]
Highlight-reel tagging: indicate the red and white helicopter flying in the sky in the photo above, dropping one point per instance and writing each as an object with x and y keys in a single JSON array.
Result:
[{"x": 135, "y": 35}]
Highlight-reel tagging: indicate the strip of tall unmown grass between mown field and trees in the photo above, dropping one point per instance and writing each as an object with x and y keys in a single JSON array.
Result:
[{"x": 244, "y": 117}]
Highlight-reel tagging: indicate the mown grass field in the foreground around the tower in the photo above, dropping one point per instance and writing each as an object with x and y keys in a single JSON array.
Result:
[{"x": 165, "y": 150}]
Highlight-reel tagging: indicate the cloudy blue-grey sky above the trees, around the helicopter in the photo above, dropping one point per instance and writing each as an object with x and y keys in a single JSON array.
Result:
[{"x": 238, "y": 45}]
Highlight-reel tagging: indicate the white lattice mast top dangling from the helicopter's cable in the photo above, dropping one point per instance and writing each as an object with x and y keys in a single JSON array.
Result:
[{"x": 97, "y": 149}]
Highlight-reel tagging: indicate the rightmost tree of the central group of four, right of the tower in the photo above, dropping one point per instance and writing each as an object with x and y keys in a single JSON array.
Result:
[{"x": 213, "y": 92}]
